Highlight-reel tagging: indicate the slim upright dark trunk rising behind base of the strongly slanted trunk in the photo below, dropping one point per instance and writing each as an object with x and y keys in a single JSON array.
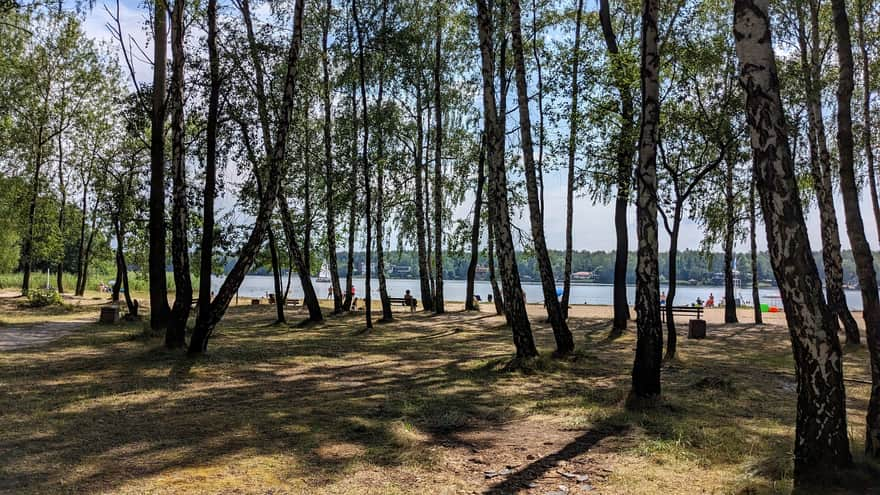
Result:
[{"x": 210, "y": 188}]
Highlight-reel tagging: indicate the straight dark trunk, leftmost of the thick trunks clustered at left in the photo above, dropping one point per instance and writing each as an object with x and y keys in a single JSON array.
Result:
[{"x": 159, "y": 310}]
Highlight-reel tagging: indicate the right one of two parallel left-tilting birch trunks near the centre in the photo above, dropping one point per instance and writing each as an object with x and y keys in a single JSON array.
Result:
[{"x": 564, "y": 341}]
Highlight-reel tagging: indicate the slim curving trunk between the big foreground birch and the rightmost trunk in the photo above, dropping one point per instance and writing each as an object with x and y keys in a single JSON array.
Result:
[{"x": 821, "y": 170}]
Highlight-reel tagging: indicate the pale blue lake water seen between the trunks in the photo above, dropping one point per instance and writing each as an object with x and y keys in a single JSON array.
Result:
[{"x": 454, "y": 290}]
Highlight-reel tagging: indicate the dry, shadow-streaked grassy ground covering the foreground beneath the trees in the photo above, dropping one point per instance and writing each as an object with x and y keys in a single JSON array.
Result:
[{"x": 421, "y": 405}]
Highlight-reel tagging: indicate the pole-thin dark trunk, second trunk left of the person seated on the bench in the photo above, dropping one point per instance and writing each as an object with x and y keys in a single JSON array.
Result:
[{"x": 365, "y": 163}]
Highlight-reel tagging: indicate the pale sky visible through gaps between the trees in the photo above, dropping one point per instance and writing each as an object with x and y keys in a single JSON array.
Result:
[{"x": 593, "y": 224}]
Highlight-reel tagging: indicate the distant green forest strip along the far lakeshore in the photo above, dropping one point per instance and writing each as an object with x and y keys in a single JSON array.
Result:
[{"x": 694, "y": 267}]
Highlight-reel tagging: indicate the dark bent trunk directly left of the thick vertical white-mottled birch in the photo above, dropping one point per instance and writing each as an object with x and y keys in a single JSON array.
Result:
[{"x": 624, "y": 158}]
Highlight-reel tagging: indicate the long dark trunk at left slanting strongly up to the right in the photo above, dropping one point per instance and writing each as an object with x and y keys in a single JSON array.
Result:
[{"x": 205, "y": 326}]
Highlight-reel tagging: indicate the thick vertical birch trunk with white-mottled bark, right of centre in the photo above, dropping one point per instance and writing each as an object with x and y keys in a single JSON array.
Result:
[{"x": 649, "y": 340}]
